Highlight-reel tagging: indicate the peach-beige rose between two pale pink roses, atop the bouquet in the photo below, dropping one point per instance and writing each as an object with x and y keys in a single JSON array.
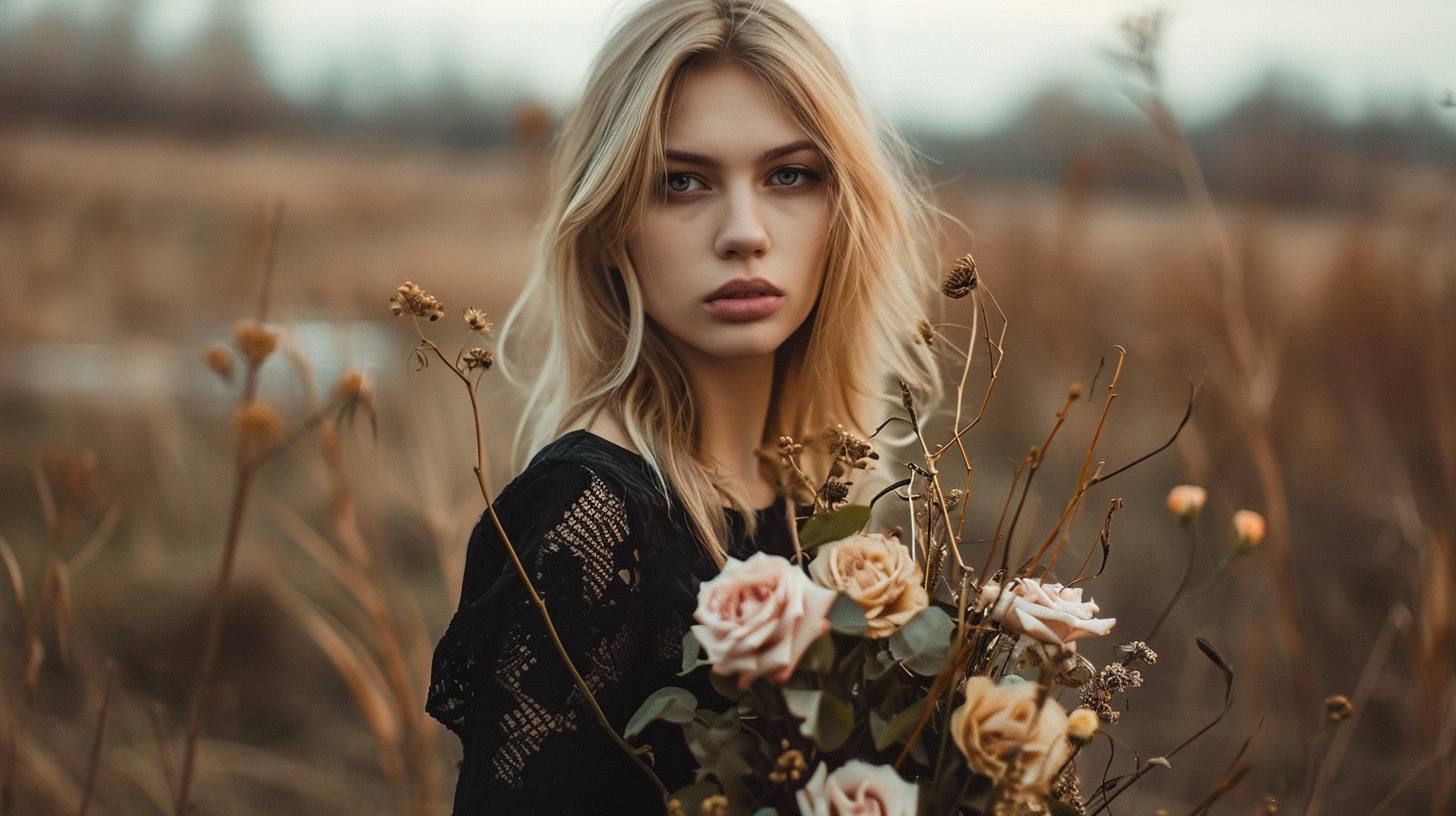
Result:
[{"x": 879, "y": 575}]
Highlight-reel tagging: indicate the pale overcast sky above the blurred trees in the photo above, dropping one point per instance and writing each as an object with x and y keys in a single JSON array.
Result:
[{"x": 949, "y": 63}]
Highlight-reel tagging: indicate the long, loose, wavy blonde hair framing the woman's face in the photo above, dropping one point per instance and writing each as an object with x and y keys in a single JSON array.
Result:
[{"x": 582, "y": 308}]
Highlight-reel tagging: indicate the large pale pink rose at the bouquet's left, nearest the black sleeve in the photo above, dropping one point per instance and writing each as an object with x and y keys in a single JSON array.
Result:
[{"x": 759, "y": 617}]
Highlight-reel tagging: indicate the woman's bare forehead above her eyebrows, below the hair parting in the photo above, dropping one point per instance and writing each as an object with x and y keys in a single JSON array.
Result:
[{"x": 724, "y": 109}]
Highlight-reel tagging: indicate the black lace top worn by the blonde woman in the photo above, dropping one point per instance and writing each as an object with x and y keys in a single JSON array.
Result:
[{"x": 620, "y": 569}]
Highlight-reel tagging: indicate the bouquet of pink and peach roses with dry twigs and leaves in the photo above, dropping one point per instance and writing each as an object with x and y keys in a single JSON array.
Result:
[{"x": 885, "y": 675}]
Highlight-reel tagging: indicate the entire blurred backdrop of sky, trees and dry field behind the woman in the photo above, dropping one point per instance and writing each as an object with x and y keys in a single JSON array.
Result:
[{"x": 145, "y": 146}]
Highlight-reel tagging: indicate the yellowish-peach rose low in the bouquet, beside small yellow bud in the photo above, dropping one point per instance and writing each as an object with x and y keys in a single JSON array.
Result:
[{"x": 1007, "y": 729}]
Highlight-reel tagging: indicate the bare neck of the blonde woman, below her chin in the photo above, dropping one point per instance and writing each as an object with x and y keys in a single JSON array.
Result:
[{"x": 733, "y": 399}]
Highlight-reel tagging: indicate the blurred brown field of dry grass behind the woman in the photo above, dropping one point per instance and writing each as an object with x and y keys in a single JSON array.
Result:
[{"x": 124, "y": 256}]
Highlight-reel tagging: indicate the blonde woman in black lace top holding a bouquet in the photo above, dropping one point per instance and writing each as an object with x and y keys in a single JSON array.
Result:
[{"x": 730, "y": 257}]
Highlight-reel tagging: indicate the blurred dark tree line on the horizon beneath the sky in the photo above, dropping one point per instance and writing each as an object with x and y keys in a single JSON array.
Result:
[{"x": 1281, "y": 146}]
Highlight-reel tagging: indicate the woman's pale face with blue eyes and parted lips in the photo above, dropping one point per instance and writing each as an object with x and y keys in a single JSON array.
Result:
[{"x": 732, "y": 250}]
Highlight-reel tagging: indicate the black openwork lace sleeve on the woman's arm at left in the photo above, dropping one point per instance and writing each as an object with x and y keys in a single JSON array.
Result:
[{"x": 532, "y": 745}]
